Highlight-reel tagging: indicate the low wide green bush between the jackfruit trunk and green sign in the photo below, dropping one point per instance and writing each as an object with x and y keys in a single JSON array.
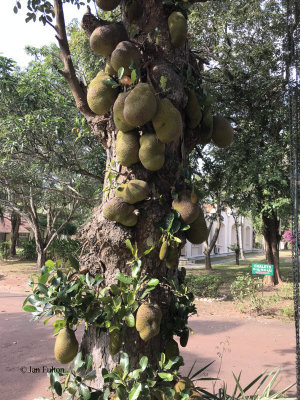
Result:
[{"x": 204, "y": 285}]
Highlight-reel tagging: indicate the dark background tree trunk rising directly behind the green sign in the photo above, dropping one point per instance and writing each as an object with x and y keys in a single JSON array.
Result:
[{"x": 272, "y": 238}]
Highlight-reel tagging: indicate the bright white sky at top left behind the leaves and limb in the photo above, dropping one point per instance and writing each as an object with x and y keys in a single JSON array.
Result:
[{"x": 15, "y": 34}]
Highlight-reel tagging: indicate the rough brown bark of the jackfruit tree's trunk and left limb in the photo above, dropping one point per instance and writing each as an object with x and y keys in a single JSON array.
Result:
[{"x": 103, "y": 240}]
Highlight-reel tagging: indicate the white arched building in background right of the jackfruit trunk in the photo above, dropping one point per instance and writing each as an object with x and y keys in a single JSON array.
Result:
[{"x": 226, "y": 238}]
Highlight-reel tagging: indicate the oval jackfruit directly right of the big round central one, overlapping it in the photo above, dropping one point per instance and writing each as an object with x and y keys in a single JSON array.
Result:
[{"x": 167, "y": 122}]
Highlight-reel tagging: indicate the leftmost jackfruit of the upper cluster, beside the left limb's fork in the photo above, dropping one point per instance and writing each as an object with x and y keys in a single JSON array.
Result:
[{"x": 100, "y": 95}]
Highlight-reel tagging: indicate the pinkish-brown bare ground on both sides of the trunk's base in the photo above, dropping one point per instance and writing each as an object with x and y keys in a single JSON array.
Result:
[{"x": 237, "y": 342}]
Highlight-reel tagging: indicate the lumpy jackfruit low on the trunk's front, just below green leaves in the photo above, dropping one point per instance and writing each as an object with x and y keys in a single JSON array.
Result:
[{"x": 148, "y": 319}]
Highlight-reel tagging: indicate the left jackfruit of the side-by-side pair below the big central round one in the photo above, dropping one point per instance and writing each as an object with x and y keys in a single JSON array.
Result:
[{"x": 127, "y": 148}]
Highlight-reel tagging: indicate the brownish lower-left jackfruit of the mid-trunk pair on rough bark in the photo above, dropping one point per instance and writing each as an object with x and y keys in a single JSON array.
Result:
[{"x": 117, "y": 210}]
